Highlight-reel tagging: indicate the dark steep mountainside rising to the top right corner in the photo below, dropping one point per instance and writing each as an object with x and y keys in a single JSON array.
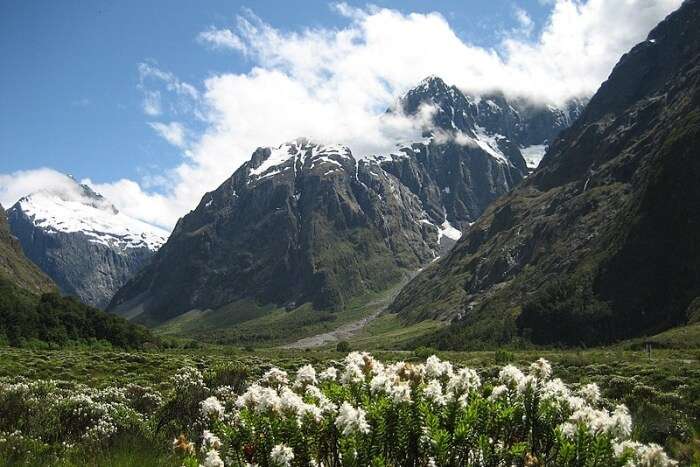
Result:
[{"x": 600, "y": 242}]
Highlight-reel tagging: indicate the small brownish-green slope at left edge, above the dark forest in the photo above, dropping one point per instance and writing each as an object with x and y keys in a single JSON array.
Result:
[{"x": 15, "y": 267}]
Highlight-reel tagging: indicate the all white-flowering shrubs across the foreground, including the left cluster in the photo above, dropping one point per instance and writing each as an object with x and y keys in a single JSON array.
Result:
[{"x": 360, "y": 412}]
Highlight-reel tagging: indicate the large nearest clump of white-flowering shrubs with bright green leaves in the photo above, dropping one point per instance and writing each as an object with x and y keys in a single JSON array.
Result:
[{"x": 403, "y": 414}]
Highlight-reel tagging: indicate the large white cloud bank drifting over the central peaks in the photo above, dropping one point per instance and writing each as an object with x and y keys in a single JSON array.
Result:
[{"x": 333, "y": 85}]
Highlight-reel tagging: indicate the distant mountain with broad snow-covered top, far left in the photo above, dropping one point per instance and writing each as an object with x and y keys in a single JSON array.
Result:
[{"x": 82, "y": 241}]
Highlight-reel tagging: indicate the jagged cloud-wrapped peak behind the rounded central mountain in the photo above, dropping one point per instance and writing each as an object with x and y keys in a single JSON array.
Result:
[{"x": 473, "y": 149}]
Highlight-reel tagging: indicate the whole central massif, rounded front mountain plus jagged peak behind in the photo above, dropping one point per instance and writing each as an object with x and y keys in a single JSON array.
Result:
[{"x": 311, "y": 223}]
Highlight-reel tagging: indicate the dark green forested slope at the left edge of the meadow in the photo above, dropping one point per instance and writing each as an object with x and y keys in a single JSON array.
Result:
[{"x": 52, "y": 320}]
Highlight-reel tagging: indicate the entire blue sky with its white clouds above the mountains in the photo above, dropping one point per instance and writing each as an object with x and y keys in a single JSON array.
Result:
[{"x": 77, "y": 76}]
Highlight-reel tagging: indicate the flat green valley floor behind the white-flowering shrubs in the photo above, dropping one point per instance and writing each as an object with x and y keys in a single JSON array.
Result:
[{"x": 662, "y": 391}]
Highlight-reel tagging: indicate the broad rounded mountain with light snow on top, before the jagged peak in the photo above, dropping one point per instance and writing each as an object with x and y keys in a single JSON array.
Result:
[{"x": 298, "y": 223}]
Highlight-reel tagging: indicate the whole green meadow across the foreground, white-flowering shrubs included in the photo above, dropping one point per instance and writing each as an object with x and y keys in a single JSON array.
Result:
[{"x": 68, "y": 407}]
